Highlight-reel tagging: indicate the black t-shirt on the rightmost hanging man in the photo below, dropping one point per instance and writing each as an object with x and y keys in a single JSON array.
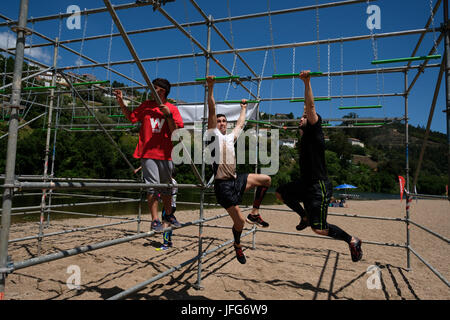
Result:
[{"x": 312, "y": 153}]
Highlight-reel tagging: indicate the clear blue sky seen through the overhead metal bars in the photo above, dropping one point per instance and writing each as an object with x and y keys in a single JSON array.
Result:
[{"x": 344, "y": 21}]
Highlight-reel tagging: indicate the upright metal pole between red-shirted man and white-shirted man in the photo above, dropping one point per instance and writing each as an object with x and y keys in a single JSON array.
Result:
[{"x": 202, "y": 194}]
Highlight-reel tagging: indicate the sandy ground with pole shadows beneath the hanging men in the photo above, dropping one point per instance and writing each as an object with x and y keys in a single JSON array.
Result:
[{"x": 281, "y": 267}]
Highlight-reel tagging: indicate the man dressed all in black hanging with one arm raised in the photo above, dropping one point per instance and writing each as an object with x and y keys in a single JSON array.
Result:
[{"x": 313, "y": 188}]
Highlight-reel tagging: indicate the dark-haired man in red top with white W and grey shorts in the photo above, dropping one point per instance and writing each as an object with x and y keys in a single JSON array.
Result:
[{"x": 155, "y": 146}]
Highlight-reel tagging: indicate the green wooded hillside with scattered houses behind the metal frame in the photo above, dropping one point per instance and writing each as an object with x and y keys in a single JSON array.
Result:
[{"x": 372, "y": 168}]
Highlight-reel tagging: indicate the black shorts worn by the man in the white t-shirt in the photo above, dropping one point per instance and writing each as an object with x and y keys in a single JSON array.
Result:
[{"x": 229, "y": 192}]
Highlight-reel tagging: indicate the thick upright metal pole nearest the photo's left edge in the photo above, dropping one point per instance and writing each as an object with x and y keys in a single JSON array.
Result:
[{"x": 12, "y": 143}]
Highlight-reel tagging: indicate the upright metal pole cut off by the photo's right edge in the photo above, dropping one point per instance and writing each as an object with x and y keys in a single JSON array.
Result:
[{"x": 447, "y": 84}]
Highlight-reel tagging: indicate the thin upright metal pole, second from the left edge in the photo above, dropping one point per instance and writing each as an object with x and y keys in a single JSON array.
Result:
[{"x": 47, "y": 146}]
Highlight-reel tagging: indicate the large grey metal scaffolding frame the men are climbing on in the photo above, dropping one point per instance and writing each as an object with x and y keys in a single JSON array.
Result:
[{"x": 13, "y": 183}]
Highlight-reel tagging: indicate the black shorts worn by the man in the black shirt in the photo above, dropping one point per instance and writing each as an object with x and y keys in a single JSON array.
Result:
[{"x": 315, "y": 196}]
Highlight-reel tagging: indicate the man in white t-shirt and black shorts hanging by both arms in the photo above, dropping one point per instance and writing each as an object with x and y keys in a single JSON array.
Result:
[{"x": 229, "y": 186}]
